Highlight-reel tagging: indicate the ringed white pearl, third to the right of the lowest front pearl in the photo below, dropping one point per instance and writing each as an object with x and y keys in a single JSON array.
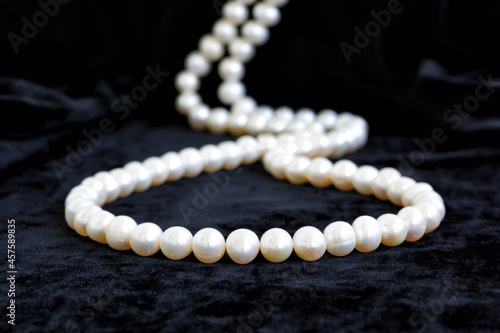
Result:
[{"x": 340, "y": 238}]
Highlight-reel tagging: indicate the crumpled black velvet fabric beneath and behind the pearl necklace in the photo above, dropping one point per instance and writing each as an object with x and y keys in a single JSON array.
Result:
[{"x": 65, "y": 118}]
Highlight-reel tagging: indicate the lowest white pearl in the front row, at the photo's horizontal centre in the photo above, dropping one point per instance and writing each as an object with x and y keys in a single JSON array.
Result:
[{"x": 242, "y": 246}]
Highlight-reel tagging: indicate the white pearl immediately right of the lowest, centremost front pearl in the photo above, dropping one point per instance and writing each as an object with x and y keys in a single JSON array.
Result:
[{"x": 276, "y": 245}]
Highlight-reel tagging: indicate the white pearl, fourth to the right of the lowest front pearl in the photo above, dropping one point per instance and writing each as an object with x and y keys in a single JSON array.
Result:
[{"x": 368, "y": 233}]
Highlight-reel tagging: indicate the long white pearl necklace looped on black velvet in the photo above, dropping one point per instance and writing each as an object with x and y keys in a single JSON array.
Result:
[{"x": 292, "y": 146}]
